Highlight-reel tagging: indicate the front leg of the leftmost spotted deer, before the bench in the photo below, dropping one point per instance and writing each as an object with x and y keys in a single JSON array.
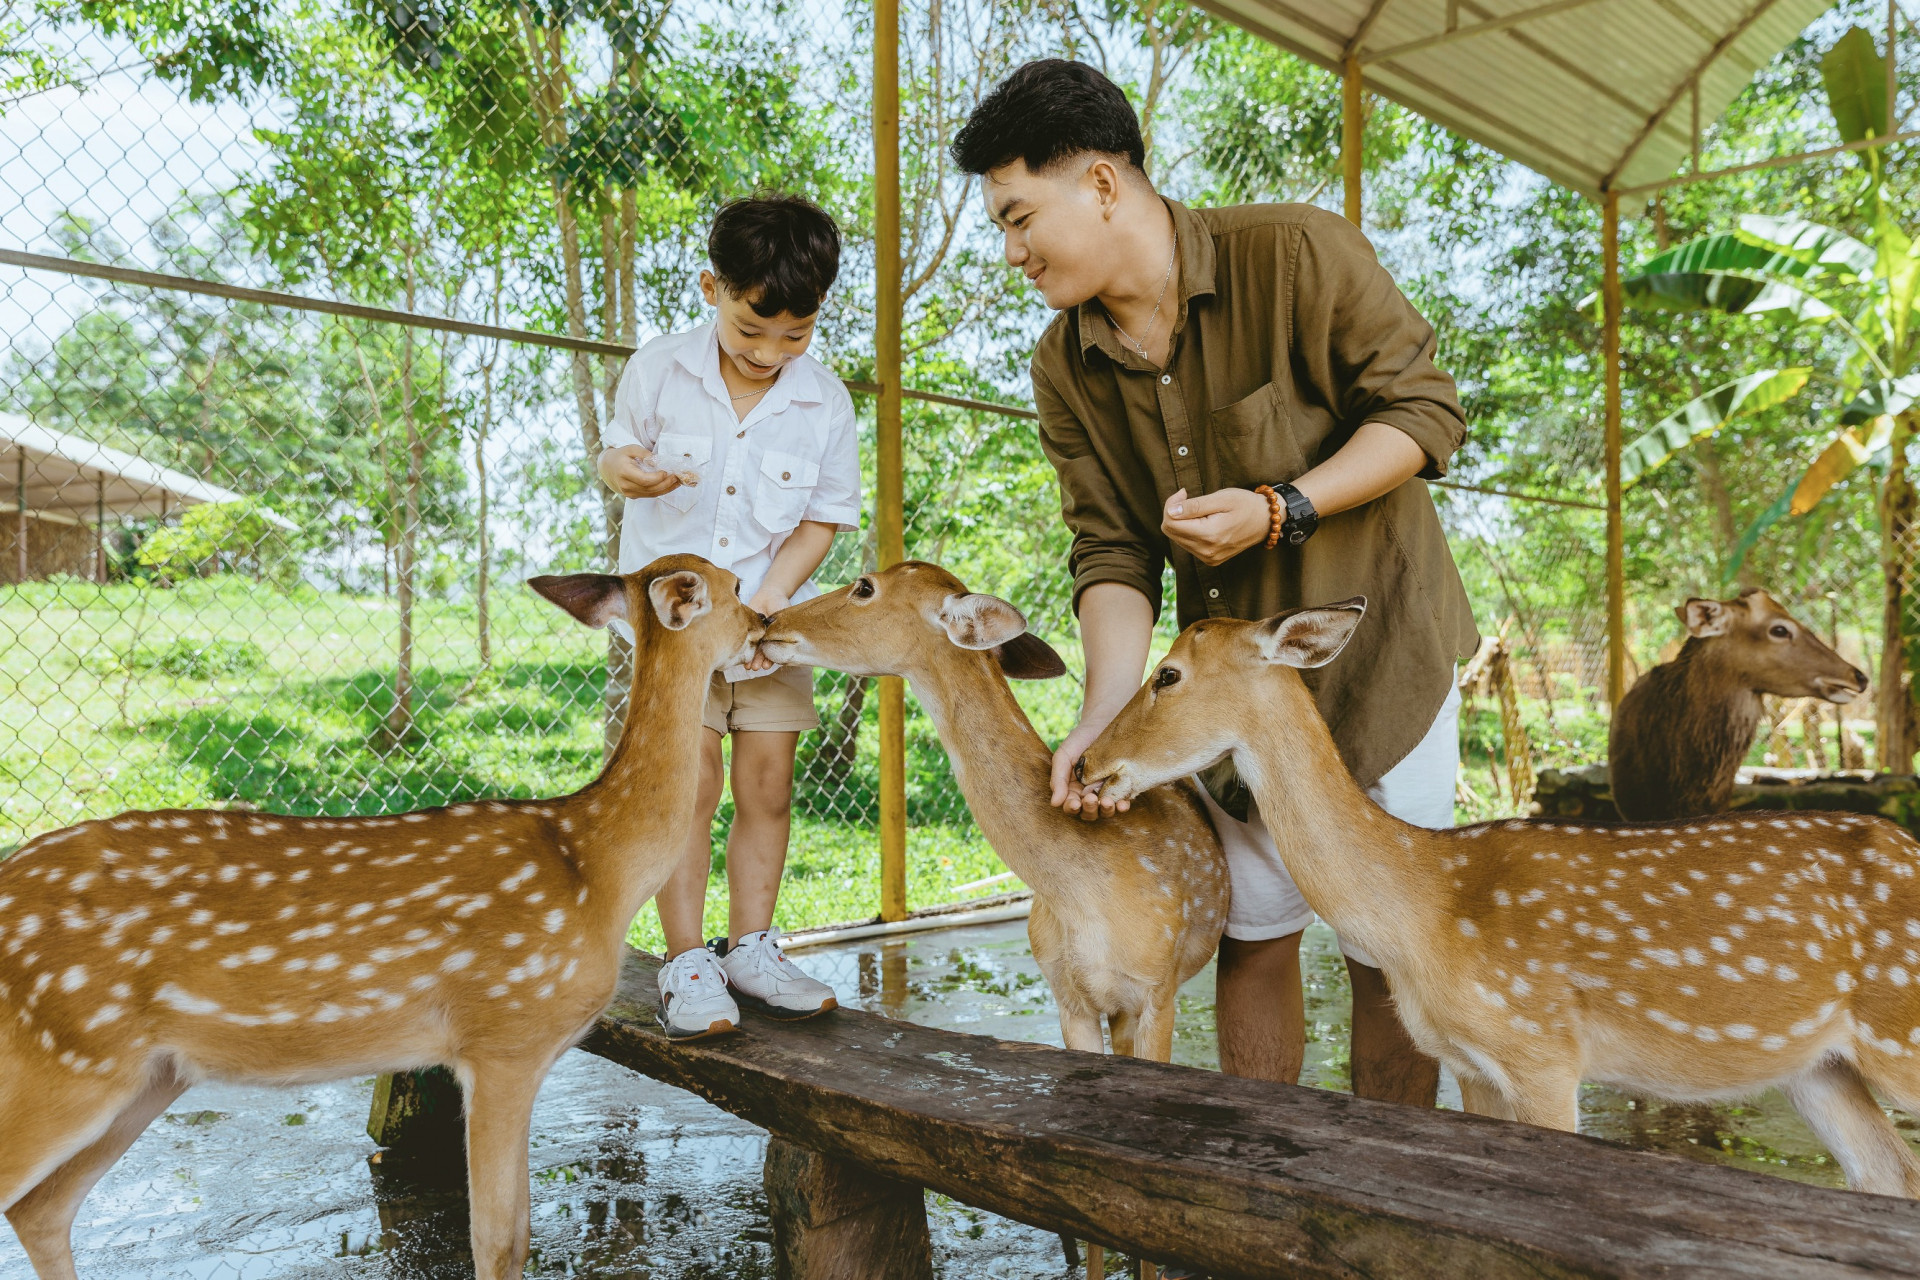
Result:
[{"x": 500, "y": 1110}]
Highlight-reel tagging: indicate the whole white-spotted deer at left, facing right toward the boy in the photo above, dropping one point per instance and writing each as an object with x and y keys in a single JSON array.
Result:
[{"x": 151, "y": 951}]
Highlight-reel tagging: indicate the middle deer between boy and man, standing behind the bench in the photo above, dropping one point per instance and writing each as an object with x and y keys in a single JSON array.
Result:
[{"x": 1124, "y": 911}]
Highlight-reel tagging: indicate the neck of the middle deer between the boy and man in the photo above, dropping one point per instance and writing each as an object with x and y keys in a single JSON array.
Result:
[{"x": 1003, "y": 767}]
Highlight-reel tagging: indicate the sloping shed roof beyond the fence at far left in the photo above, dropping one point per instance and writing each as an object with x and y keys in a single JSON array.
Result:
[{"x": 74, "y": 477}]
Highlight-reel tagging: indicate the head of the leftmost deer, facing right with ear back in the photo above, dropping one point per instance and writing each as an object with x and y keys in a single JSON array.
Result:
[{"x": 681, "y": 594}]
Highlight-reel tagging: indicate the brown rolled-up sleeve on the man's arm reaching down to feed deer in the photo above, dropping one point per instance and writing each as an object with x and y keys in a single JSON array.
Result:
[{"x": 1109, "y": 542}]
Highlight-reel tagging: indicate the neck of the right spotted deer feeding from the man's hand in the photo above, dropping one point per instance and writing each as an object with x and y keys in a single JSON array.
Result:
[{"x": 1368, "y": 874}]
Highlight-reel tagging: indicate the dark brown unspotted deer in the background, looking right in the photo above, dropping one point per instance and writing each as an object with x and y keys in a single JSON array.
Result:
[{"x": 1683, "y": 730}]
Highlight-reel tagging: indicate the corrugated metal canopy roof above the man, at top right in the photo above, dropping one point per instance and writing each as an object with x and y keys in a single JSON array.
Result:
[{"x": 1591, "y": 93}]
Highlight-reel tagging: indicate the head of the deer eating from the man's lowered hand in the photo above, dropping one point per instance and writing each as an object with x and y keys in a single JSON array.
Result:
[{"x": 1195, "y": 707}]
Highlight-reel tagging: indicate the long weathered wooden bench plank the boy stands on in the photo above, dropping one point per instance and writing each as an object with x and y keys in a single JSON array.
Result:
[{"x": 1251, "y": 1179}]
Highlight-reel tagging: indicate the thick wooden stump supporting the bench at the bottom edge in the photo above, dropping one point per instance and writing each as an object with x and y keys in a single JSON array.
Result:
[{"x": 840, "y": 1221}]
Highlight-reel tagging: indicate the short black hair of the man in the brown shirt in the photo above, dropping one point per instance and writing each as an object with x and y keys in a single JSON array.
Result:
[{"x": 1044, "y": 114}]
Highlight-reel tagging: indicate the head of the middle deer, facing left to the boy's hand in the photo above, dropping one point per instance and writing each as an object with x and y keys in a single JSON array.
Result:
[{"x": 903, "y": 621}]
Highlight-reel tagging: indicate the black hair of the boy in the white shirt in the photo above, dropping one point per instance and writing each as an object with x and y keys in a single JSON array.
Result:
[{"x": 777, "y": 252}]
